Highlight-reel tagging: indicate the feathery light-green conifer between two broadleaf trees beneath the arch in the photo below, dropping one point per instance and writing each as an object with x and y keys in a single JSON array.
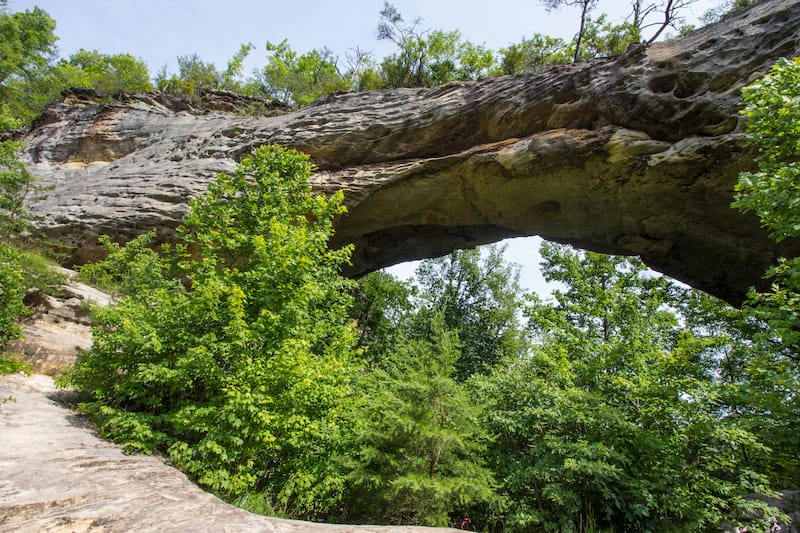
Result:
[{"x": 418, "y": 439}]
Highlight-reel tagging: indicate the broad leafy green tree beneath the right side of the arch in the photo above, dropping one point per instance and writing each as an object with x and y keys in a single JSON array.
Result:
[{"x": 616, "y": 419}]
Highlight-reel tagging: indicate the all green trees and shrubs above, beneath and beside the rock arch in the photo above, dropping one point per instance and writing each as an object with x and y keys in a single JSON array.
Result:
[{"x": 624, "y": 401}]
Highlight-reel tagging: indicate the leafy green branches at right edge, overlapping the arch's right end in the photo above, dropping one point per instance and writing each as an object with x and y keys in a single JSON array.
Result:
[{"x": 771, "y": 193}]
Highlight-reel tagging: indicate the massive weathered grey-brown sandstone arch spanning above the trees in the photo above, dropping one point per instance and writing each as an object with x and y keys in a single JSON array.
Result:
[{"x": 632, "y": 155}]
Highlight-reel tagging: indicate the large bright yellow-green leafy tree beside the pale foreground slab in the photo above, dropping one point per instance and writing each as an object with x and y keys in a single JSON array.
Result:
[{"x": 240, "y": 372}]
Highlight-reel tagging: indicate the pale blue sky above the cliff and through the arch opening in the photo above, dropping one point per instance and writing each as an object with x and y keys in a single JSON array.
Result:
[{"x": 157, "y": 31}]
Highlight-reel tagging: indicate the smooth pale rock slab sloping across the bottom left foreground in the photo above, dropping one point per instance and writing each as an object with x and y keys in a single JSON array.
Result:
[{"x": 57, "y": 474}]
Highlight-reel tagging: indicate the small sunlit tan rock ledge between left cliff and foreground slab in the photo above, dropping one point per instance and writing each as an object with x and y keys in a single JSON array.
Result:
[{"x": 59, "y": 326}]
